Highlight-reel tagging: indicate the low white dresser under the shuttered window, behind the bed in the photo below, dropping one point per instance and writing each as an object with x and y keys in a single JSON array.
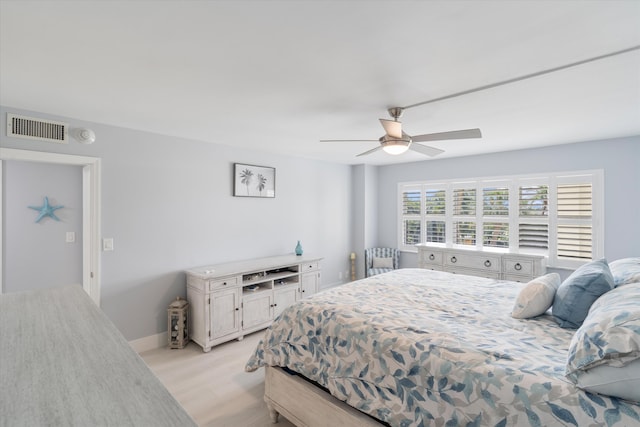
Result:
[{"x": 494, "y": 265}]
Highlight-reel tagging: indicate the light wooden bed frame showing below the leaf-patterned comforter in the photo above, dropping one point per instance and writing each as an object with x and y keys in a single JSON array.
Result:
[{"x": 307, "y": 405}]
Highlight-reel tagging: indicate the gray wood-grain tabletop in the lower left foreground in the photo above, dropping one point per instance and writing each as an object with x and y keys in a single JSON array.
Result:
[{"x": 62, "y": 362}]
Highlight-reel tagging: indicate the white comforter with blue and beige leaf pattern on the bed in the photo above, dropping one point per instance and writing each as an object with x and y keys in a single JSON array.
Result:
[{"x": 416, "y": 347}]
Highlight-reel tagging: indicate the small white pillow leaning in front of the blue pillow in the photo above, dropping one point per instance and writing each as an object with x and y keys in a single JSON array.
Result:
[{"x": 536, "y": 297}]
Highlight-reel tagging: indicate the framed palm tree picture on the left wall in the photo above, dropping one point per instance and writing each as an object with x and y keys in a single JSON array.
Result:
[{"x": 254, "y": 181}]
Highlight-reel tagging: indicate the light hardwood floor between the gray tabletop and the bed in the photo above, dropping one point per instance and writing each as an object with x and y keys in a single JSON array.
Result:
[{"x": 213, "y": 387}]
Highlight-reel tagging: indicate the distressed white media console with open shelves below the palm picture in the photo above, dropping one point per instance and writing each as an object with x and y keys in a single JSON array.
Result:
[{"x": 228, "y": 301}]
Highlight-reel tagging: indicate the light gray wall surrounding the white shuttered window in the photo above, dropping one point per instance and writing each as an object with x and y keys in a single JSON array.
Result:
[{"x": 619, "y": 158}]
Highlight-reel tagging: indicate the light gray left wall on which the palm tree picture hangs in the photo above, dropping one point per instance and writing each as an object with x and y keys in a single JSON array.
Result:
[{"x": 167, "y": 203}]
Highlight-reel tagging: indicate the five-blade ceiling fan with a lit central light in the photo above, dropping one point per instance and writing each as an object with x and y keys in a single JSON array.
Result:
[{"x": 396, "y": 141}]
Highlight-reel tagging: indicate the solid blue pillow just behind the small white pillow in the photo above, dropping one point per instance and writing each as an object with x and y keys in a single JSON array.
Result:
[{"x": 576, "y": 294}]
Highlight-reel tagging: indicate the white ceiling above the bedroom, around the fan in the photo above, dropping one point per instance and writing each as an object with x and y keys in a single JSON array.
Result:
[{"x": 281, "y": 75}]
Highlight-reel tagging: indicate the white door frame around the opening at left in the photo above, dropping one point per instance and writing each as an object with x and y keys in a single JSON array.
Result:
[{"x": 90, "y": 211}]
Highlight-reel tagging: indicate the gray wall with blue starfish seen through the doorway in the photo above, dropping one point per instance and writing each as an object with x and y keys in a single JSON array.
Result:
[{"x": 39, "y": 250}]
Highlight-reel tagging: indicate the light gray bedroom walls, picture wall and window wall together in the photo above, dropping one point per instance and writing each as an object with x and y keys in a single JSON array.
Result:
[{"x": 167, "y": 203}]
